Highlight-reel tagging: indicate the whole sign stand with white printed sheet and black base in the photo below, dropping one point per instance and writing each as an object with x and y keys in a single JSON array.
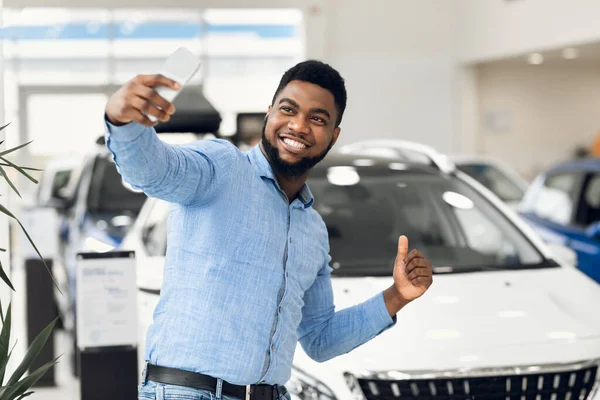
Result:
[{"x": 106, "y": 309}]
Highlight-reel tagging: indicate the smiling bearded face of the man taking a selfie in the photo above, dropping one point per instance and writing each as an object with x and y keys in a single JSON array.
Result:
[{"x": 300, "y": 128}]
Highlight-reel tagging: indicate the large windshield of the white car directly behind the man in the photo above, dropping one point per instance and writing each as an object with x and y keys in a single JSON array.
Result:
[{"x": 442, "y": 216}]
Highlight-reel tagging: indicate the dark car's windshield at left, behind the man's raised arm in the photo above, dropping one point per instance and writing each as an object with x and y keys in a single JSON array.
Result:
[{"x": 107, "y": 192}]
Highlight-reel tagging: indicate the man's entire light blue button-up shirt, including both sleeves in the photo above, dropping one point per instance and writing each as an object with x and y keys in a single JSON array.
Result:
[{"x": 247, "y": 273}]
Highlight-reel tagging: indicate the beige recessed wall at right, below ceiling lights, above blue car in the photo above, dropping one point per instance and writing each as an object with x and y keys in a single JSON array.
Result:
[{"x": 549, "y": 111}]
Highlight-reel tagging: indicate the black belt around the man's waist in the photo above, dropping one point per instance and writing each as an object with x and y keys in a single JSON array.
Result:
[{"x": 178, "y": 377}]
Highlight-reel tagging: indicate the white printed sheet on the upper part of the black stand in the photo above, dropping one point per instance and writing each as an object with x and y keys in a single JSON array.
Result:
[{"x": 106, "y": 299}]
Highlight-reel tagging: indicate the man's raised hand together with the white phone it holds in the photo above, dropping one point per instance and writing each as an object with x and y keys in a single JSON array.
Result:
[{"x": 147, "y": 99}]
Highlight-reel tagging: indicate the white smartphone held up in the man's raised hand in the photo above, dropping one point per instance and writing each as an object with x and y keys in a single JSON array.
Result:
[{"x": 180, "y": 66}]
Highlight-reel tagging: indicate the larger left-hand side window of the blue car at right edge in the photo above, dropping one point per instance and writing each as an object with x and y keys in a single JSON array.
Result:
[{"x": 556, "y": 199}]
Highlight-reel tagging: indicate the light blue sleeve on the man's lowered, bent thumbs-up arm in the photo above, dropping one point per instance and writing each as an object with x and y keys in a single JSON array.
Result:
[{"x": 325, "y": 333}]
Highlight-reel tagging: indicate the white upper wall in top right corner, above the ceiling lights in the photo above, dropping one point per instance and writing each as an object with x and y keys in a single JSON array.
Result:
[{"x": 489, "y": 29}]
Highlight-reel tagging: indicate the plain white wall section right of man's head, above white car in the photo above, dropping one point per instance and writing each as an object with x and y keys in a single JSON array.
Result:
[{"x": 398, "y": 60}]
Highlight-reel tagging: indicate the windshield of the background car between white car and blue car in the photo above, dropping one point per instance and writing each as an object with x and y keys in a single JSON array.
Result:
[{"x": 494, "y": 179}]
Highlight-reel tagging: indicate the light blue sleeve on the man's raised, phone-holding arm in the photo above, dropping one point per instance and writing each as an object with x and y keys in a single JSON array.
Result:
[{"x": 188, "y": 174}]
